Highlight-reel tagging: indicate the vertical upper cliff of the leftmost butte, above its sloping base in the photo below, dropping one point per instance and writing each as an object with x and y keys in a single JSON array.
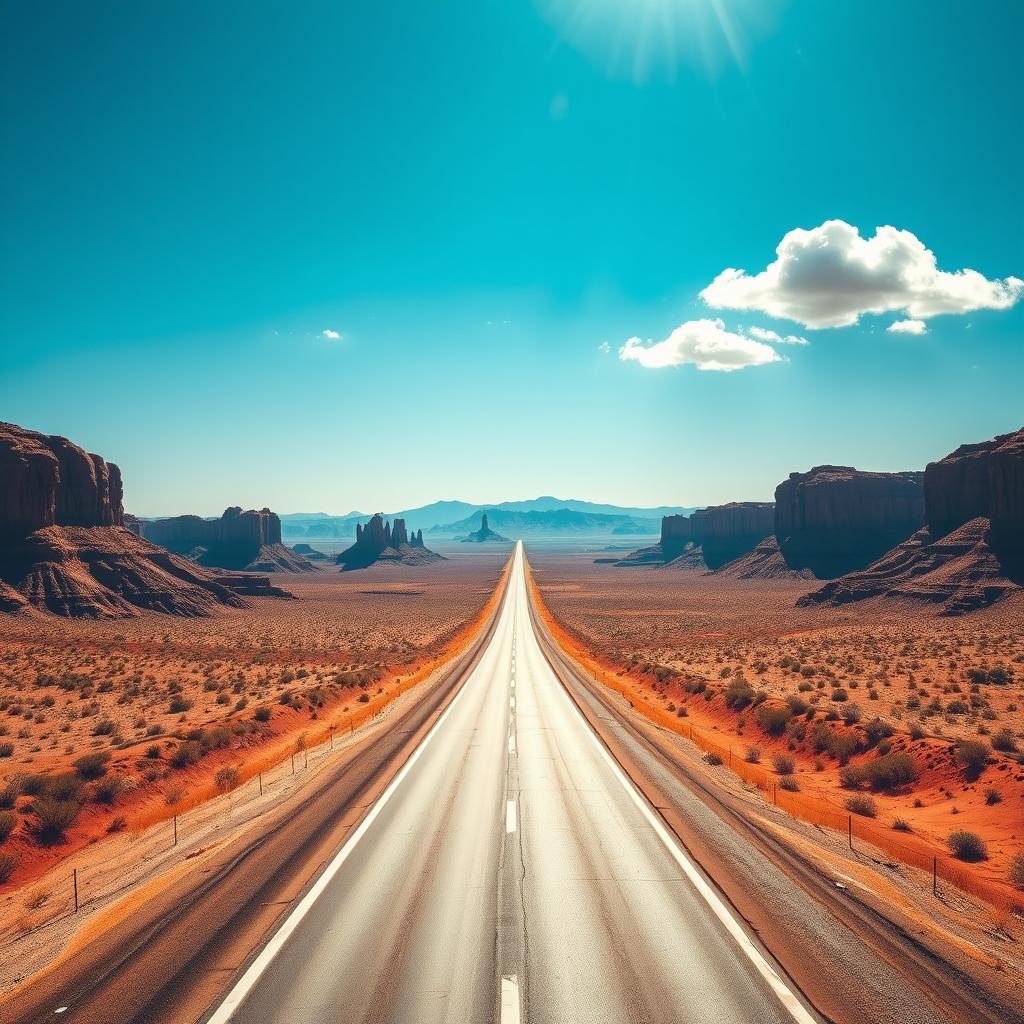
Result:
[{"x": 48, "y": 481}]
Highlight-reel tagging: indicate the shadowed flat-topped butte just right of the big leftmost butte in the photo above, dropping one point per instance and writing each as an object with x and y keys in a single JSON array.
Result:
[{"x": 247, "y": 541}]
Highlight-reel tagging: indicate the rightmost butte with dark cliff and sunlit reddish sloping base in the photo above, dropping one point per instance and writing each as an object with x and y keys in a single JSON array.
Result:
[{"x": 969, "y": 553}]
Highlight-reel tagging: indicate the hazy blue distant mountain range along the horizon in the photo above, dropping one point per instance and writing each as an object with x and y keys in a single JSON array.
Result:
[{"x": 537, "y": 517}]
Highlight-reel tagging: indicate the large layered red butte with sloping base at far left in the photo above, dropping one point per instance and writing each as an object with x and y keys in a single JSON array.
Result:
[{"x": 63, "y": 545}]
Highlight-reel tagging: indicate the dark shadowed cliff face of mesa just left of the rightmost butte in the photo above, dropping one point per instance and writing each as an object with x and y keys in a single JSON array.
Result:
[{"x": 837, "y": 520}]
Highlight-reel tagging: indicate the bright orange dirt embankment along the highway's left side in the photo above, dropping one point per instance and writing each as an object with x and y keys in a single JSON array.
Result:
[{"x": 294, "y": 731}]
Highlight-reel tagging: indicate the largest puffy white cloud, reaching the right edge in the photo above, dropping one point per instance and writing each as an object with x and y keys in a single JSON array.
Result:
[{"x": 830, "y": 277}]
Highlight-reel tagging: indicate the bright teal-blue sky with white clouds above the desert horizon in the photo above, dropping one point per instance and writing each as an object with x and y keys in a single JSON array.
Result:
[{"x": 488, "y": 202}]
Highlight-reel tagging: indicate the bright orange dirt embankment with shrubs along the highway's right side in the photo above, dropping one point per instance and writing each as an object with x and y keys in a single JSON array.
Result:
[{"x": 719, "y": 732}]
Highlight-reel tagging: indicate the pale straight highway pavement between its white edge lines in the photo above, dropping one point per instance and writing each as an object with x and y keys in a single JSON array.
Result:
[{"x": 510, "y": 872}]
